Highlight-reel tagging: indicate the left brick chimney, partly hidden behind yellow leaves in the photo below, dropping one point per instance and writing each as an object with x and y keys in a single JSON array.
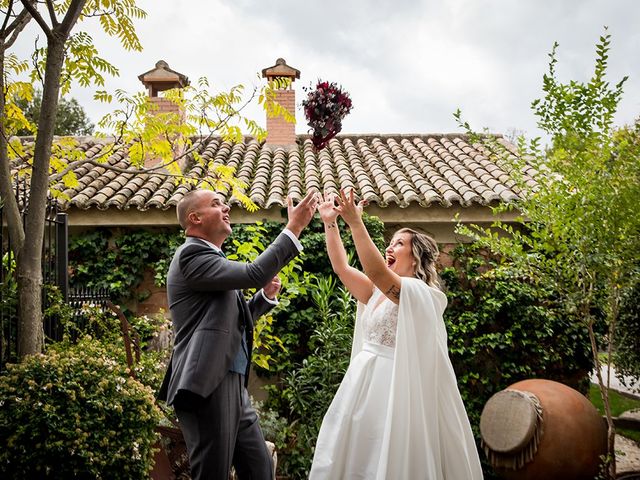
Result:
[{"x": 158, "y": 80}]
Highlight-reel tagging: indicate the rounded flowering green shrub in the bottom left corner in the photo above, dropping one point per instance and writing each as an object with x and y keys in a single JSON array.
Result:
[{"x": 74, "y": 412}]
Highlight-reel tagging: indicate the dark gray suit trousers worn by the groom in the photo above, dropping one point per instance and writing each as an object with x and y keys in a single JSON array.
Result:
[{"x": 222, "y": 430}]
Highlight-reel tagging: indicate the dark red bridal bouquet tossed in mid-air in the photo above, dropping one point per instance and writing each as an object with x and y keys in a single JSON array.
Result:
[{"x": 324, "y": 108}]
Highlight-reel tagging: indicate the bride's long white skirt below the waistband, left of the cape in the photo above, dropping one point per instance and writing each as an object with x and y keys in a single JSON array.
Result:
[{"x": 350, "y": 438}]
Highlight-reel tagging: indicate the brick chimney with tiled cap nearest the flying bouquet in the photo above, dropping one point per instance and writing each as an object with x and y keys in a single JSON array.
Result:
[{"x": 279, "y": 131}]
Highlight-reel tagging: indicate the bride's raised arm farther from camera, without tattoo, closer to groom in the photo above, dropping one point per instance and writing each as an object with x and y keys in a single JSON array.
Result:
[{"x": 355, "y": 281}]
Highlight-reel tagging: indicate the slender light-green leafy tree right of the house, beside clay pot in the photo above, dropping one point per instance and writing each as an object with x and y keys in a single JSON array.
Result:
[{"x": 580, "y": 231}]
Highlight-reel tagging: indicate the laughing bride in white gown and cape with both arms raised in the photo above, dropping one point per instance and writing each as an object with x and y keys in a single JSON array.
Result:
[{"x": 398, "y": 412}]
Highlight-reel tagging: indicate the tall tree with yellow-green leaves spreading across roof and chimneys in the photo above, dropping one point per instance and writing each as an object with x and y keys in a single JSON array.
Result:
[{"x": 72, "y": 57}]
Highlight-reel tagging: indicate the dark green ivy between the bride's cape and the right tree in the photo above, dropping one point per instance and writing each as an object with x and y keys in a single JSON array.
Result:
[{"x": 503, "y": 329}]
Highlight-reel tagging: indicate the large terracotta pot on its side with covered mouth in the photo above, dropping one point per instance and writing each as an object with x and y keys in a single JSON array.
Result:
[{"x": 538, "y": 429}]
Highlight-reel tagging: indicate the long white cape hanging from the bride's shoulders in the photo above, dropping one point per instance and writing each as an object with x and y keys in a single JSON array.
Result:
[{"x": 427, "y": 434}]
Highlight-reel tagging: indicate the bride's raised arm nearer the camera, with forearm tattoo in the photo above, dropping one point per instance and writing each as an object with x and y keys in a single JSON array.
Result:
[{"x": 373, "y": 263}]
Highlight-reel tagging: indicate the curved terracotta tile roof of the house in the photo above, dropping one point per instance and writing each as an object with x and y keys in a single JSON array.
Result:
[{"x": 387, "y": 170}]
